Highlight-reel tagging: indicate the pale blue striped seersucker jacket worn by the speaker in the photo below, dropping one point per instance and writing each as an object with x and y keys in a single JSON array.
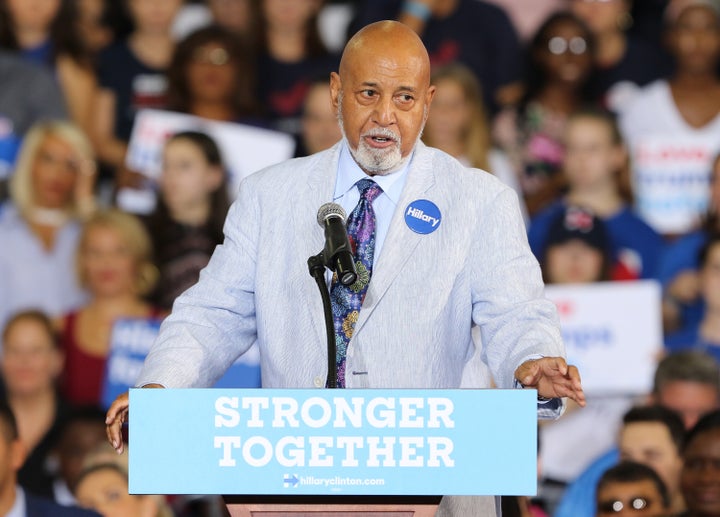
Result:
[{"x": 426, "y": 291}]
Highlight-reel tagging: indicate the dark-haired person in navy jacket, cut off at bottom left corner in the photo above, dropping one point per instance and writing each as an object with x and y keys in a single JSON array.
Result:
[{"x": 14, "y": 500}]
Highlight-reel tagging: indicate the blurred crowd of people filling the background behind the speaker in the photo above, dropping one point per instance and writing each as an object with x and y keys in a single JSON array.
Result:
[{"x": 602, "y": 115}]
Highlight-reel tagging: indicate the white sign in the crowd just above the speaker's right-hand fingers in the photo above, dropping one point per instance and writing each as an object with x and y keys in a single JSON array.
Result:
[{"x": 612, "y": 333}]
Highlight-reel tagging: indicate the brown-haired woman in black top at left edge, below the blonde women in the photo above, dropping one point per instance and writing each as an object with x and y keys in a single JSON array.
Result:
[{"x": 31, "y": 364}]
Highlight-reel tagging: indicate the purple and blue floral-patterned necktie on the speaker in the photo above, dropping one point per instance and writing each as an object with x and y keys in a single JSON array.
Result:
[{"x": 347, "y": 300}]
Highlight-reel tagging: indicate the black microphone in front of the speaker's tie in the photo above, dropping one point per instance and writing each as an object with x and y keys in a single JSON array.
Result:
[{"x": 337, "y": 254}]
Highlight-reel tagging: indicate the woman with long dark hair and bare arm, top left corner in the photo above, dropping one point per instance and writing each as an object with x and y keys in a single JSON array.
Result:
[{"x": 47, "y": 33}]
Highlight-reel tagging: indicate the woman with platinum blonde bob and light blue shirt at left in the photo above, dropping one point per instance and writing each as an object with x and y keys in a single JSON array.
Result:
[{"x": 51, "y": 190}]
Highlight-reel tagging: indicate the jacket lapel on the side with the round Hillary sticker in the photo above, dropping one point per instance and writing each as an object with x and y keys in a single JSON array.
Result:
[{"x": 400, "y": 242}]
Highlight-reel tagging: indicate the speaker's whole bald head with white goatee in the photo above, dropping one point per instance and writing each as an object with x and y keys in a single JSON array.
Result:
[{"x": 382, "y": 95}]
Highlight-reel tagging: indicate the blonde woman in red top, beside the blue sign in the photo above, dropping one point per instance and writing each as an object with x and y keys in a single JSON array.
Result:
[{"x": 114, "y": 265}]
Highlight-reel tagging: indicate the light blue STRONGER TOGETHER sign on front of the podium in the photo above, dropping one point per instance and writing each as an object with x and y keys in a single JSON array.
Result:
[{"x": 333, "y": 442}]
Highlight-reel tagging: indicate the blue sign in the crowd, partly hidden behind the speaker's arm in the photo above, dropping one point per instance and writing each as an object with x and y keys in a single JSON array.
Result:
[{"x": 130, "y": 342}]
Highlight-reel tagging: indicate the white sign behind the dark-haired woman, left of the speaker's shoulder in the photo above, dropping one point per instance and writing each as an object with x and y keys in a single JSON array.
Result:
[{"x": 245, "y": 149}]
